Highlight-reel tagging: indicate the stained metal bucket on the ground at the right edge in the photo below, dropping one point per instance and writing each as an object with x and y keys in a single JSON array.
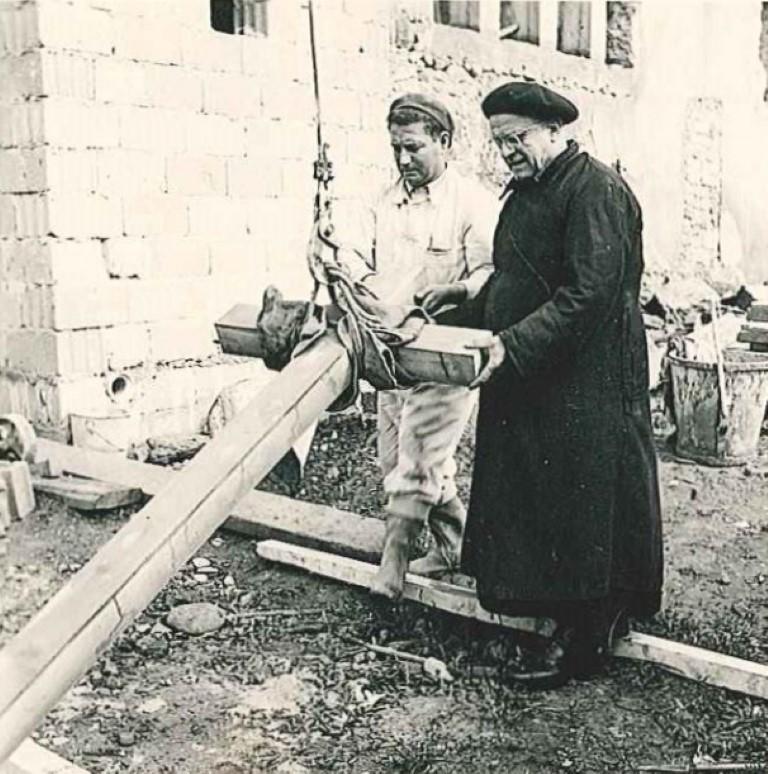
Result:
[{"x": 705, "y": 433}]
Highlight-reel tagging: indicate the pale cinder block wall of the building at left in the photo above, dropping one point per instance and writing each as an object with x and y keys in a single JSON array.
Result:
[{"x": 152, "y": 173}]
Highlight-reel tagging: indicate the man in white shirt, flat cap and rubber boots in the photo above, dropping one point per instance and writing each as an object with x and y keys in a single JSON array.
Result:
[{"x": 428, "y": 240}]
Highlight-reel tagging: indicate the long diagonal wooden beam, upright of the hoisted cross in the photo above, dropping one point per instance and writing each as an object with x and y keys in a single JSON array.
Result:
[{"x": 56, "y": 648}]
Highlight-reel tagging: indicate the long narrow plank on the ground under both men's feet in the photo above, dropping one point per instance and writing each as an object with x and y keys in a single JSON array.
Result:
[{"x": 705, "y": 666}]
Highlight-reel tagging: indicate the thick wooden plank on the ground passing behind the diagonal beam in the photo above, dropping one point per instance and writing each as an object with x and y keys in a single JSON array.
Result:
[{"x": 259, "y": 515}]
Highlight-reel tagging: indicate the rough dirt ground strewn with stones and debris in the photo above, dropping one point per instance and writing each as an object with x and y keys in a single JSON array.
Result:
[{"x": 285, "y": 686}]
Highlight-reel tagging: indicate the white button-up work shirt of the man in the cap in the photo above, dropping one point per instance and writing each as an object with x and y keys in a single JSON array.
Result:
[{"x": 436, "y": 234}]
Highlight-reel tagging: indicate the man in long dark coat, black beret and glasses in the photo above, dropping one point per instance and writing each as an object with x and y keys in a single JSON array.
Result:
[{"x": 564, "y": 516}]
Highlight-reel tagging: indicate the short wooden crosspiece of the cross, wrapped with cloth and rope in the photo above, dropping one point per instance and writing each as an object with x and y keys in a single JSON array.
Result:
[{"x": 437, "y": 355}]
